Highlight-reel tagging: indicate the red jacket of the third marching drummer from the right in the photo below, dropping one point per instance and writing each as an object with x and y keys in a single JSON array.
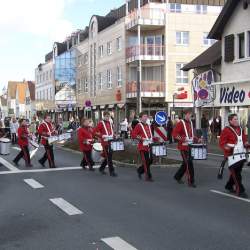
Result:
[{"x": 138, "y": 131}]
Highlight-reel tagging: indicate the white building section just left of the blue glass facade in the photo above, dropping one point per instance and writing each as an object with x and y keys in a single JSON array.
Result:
[{"x": 45, "y": 85}]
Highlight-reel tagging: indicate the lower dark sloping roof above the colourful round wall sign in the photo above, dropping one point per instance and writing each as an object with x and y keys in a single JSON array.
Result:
[{"x": 210, "y": 56}]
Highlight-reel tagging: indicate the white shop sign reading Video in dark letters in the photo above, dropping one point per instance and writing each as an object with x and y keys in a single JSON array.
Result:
[{"x": 233, "y": 95}]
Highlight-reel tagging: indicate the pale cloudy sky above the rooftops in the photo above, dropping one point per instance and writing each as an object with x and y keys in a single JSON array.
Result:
[{"x": 29, "y": 28}]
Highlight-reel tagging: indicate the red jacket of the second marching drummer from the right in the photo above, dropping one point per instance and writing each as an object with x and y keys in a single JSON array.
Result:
[{"x": 180, "y": 135}]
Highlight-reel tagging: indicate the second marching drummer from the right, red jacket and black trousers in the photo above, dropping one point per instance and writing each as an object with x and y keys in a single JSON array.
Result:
[{"x": 184, "y": 138}]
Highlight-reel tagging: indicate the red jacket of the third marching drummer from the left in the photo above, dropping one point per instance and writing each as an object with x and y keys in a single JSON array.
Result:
[{"x": 85, "y": 134}]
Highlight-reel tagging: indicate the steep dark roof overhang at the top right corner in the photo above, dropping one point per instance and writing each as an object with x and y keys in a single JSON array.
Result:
[{"x": 223, "y": 18}]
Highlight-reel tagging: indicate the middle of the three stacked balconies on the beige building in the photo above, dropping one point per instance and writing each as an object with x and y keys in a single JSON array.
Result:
[{"x": 152, "y": 52}]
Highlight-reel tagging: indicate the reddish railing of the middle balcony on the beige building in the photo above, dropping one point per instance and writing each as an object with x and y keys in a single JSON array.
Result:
[{"x": 151, "y": 50}]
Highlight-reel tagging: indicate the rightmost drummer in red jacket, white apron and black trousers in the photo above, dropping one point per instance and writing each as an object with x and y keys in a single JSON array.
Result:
[{"x": 228, "y": 140}]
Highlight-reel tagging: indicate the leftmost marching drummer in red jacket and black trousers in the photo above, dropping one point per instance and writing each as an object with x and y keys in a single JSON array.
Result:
[{"x": 23, "y": 142}]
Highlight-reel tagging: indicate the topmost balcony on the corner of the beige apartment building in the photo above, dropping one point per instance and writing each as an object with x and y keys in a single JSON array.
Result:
[{"x": 153, "y": 17}]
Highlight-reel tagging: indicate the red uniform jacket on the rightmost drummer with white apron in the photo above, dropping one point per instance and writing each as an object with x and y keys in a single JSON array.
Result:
[{"x": 228, "y": 137}]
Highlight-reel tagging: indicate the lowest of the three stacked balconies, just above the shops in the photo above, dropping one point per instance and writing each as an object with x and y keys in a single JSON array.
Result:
[{"x": 148, "y": 89}]
